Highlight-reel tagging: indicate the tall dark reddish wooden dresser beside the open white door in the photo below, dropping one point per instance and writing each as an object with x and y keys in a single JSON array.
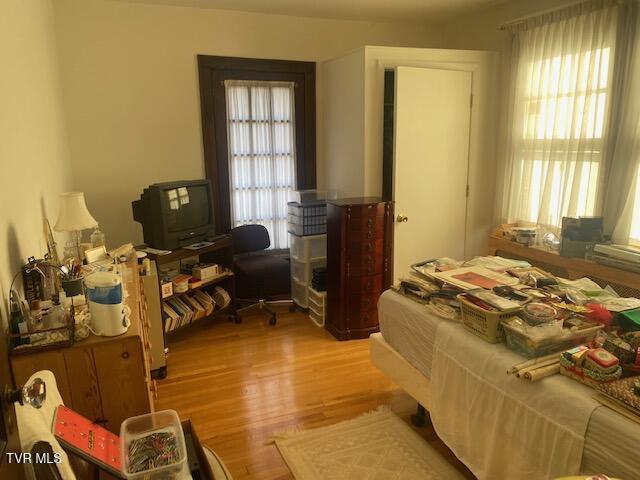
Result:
[{"x": 359, "y": 264}]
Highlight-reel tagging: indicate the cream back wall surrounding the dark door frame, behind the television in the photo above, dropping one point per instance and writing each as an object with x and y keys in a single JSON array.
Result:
[{"x": 131, "y": 89}]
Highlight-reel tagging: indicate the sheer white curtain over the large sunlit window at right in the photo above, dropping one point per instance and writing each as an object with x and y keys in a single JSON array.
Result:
[{"x": 559, "y": 102}]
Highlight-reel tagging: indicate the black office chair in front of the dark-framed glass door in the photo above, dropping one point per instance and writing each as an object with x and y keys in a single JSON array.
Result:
[{"x": 260, "y": 276}]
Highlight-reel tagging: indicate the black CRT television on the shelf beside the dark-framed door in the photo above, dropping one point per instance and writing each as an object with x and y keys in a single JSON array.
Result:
[{"x": 175, "y": 214}]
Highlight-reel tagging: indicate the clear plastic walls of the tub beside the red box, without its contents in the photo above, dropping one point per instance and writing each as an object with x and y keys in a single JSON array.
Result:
[{"x": 158, "y": 422}]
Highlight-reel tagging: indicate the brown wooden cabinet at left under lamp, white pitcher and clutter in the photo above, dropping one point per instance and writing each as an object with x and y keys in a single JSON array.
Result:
[{"x": 105, "y": 379}]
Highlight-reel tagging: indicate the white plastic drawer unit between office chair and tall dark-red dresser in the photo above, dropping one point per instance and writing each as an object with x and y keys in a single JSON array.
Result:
[{"x": 306, "y": 253}]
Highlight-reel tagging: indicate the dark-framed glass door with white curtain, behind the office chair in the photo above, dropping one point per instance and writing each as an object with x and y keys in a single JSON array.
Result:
[{"x": 258, "y": 128}]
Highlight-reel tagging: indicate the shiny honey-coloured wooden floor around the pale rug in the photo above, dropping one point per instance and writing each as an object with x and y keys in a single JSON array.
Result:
[{"x": 240, "y": 383}]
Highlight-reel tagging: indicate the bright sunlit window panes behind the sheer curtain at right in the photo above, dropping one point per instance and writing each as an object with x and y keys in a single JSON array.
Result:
[{"x": 562, "y": 136}]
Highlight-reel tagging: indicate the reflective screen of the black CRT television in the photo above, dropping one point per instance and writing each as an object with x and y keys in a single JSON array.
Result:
[{"x": 186, "y": 207}]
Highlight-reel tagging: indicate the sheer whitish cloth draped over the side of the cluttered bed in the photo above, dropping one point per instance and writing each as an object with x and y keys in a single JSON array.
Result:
[{"x": 498, "y": 425}]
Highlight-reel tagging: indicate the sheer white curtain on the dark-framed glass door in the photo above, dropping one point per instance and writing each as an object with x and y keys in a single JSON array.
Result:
[{"x": 260, "y": 126}]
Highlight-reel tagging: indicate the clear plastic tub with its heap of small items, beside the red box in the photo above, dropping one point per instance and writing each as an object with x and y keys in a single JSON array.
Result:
[{"x": 153, "y": 447}]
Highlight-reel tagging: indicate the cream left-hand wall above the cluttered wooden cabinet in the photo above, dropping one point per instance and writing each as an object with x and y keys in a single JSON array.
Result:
[{"x": 34, "y": 165}]
